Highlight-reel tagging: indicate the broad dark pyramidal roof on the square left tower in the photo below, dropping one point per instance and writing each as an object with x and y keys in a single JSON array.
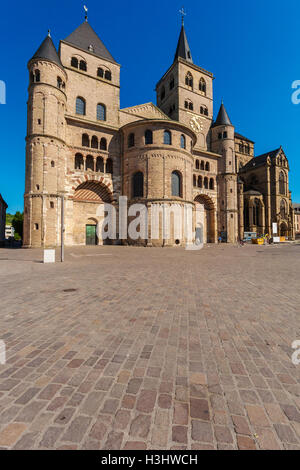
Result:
[{"x": 85, "y": 38}]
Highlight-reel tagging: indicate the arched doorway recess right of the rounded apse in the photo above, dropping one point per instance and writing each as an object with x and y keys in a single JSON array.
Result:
[{"x": 205, "y": 224}]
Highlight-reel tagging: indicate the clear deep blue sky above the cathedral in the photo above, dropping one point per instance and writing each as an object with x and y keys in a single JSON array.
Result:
[{"x": 251, "y": 47}]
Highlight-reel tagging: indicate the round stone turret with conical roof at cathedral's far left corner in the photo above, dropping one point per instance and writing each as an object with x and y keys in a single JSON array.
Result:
[{"x": 45, "y": 146}]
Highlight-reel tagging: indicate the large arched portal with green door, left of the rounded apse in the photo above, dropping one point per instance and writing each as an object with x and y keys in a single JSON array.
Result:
[{"x": 88, "y": 198}]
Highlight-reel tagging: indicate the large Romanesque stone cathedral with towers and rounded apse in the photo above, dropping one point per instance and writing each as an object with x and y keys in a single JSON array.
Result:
[{"x": 83, "y": 151}]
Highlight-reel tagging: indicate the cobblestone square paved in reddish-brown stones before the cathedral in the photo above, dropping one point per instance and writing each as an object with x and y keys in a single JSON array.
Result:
[{"x": 140, "y": 348}]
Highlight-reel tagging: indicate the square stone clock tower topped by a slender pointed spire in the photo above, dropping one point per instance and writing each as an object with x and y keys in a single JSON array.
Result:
[{"x": 185, "y": 92}]
